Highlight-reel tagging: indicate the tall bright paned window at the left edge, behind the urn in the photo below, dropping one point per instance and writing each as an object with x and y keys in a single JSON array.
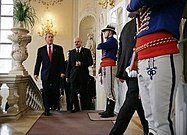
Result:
[{"x": 6, "y": 23}]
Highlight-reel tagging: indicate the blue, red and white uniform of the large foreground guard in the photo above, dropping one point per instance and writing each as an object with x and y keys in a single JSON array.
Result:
[{"x": 160, "y": 64}]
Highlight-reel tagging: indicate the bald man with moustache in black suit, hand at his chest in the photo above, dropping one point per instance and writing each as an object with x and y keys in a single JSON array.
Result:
[{"x": 77, "y": 73}]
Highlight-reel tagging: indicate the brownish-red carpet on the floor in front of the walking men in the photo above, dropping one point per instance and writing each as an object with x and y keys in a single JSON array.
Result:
[{"x": 66, "y": 123}]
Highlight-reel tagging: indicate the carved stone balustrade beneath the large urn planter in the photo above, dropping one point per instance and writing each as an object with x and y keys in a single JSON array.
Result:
[{"x": 23, "y": 94}]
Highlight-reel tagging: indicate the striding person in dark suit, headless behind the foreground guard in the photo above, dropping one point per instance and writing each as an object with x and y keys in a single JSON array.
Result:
[{"x": 132, "y": 101}]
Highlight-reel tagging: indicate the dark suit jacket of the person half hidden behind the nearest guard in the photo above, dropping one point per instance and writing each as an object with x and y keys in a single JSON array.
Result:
[{"x": 126, "y": 44}]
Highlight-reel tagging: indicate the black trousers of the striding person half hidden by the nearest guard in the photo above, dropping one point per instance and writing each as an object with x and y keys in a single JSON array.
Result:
[{"x": 131, "y": 104}]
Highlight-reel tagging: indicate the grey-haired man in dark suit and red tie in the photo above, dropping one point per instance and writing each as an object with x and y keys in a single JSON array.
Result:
[{"x": 51, "y": 57}]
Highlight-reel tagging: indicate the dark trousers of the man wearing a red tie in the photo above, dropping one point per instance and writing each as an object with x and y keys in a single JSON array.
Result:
[{"x": 50, "y": 94}]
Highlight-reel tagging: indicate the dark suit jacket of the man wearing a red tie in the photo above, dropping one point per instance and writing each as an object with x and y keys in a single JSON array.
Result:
[{"x": 51, "y": 69}]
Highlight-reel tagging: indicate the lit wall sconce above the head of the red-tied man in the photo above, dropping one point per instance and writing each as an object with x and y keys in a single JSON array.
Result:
[{"x": 47, "y": 27}]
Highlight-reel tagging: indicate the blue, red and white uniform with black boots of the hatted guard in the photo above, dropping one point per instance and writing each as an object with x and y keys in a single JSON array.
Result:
[{"x": 108, "y": 66}]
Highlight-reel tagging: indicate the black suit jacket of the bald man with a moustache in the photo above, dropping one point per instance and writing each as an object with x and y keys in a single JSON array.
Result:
[{"x": 82, "y": 71}]
